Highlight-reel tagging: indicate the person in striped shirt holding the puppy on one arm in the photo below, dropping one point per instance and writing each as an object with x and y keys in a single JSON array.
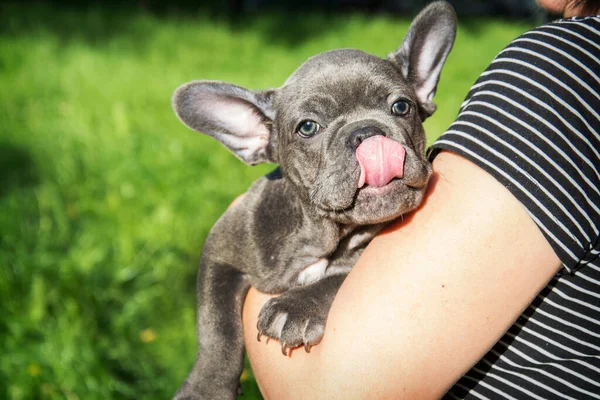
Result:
[{"x": 496, "y": 278}]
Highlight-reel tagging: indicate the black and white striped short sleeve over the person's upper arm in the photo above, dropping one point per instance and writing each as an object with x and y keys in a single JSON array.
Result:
[{"x": 531, "y": 120}]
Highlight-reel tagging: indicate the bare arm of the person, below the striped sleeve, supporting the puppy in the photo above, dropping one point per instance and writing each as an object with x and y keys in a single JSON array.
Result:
[{"x": 427, "y": 299}]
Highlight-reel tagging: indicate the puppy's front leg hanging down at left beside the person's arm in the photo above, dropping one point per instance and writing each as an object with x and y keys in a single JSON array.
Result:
[{"x": 220, "y": 359}]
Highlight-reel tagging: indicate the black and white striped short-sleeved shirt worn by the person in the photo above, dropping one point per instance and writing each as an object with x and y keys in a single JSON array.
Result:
[{"x": 532, "y": 120}]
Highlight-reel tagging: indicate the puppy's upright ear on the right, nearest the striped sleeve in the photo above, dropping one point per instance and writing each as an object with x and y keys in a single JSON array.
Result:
[{"x": 424, "y": 50}]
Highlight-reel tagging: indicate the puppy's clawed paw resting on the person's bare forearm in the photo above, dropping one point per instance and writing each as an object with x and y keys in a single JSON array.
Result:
[{"x": 293, "y": 320}]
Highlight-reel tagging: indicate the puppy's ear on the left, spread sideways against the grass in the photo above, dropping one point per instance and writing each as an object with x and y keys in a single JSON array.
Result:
[{"x": 239, "y": 118}]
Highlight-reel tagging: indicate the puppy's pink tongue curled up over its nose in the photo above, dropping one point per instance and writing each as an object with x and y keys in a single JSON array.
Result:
[{"x": 381, "y": 160}]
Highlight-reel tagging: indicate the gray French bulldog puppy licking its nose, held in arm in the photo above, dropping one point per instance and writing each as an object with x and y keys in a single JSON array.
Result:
[{"x": 346, "y": 130}]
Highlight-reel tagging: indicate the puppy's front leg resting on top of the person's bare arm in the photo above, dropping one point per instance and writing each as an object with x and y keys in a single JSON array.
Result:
[{"x": 298, "y": 316}]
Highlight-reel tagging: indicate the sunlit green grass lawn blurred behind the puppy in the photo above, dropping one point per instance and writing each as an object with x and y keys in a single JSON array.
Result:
[{"x": 105, "y": 198}]
